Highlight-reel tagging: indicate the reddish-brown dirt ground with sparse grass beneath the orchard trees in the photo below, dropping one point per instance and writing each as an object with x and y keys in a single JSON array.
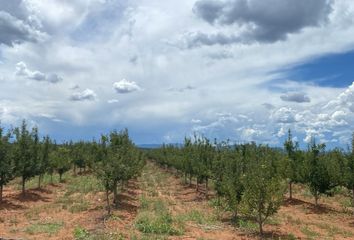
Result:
[{"x": 54, "y": 213}]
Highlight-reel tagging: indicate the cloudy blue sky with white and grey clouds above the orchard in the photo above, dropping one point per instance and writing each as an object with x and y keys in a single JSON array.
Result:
[{"x": 244, "y": 70}]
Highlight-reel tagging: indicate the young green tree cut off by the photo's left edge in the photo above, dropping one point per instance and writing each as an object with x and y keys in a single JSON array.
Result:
[{"x": 6, "y": 165}]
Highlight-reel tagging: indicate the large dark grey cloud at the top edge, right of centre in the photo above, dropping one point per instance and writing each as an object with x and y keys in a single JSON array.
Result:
[{"x": 265, "y": 21}]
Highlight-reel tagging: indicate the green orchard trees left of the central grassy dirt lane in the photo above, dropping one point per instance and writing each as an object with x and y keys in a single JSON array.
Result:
[{"x": 114, "y": 159}]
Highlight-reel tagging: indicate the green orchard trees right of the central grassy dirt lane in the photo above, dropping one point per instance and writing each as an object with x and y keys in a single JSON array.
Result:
[{"x": 252, "y": 179}]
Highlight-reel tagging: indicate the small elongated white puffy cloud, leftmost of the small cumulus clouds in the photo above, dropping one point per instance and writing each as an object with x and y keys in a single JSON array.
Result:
[{"x": 23, "y": 71}]
